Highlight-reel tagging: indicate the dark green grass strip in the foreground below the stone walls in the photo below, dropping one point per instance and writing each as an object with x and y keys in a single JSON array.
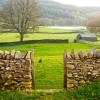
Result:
[{"x": 87, "y": 92}]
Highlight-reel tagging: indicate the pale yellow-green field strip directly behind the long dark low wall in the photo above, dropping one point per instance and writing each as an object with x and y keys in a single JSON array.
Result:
[{"x": 12, "y": 37}]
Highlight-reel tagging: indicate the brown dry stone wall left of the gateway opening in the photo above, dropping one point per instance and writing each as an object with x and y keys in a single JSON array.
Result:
[{"x": 15, "y": 70}]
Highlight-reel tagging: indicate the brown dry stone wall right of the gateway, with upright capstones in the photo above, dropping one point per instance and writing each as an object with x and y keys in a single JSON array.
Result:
[{"x": 81, "y": 68}]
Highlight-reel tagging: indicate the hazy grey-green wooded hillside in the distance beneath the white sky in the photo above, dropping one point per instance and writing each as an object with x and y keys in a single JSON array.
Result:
[{"x": 53, "y": 13}]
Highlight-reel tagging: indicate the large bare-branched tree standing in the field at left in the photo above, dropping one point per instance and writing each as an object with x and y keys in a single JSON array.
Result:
[{"x": 20, "y": 14}]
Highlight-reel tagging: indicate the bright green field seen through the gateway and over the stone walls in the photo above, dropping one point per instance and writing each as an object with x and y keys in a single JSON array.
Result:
[{"x": 49, "y": 73}]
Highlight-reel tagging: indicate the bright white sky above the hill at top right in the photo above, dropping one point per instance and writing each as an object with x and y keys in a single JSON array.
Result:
[{"x": 81, "y": 2}]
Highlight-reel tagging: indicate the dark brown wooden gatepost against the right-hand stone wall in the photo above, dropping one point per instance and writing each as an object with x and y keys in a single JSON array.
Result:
[{"x": 65, "y": 70}]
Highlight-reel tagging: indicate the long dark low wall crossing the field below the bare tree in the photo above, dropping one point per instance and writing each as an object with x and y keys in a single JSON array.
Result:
[{"x": 34, "y": 42}]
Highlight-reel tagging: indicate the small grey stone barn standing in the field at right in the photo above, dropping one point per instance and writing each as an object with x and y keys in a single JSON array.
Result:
[{"x": 87, "y": 37}]
